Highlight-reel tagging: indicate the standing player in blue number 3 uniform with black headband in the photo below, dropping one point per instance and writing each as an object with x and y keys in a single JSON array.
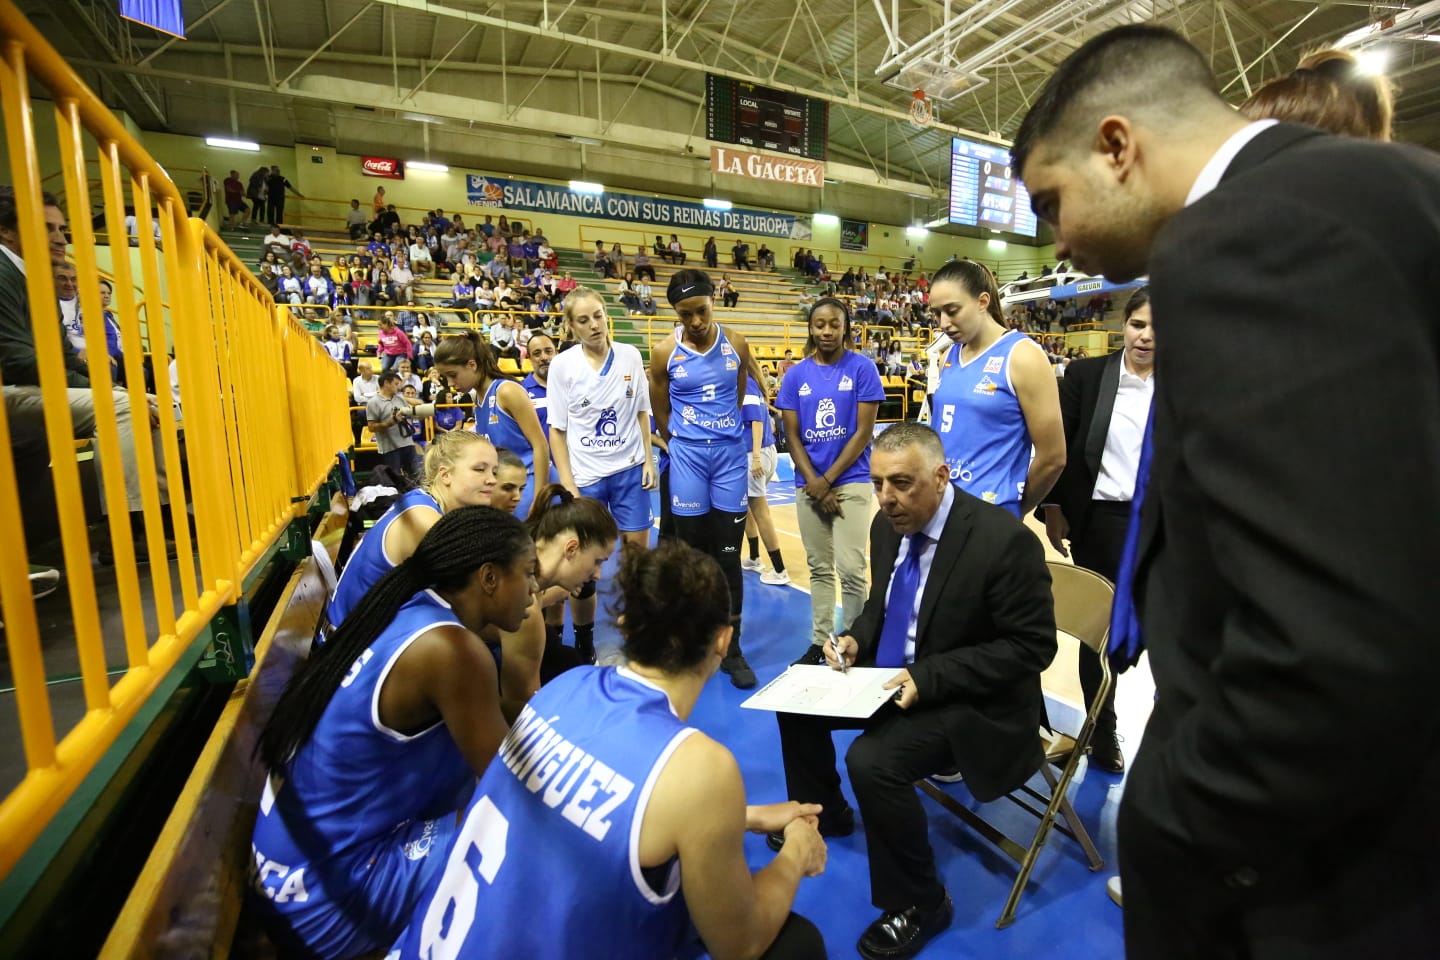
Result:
[{"x": 696, "y": 384}]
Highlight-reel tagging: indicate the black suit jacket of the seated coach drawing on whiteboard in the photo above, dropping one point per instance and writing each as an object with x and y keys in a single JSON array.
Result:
[{"x": 986, "y": 633}]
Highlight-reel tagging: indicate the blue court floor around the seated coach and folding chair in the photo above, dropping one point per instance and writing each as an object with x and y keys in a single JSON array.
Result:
[{"x": 1065, "y": 912}]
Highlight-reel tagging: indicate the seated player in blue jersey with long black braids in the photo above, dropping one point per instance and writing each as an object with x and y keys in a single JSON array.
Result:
[{"x": 378, "y": 739}]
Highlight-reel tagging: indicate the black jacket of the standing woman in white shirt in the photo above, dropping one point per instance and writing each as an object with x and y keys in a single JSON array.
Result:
[{"x": 1086, "y": 404}]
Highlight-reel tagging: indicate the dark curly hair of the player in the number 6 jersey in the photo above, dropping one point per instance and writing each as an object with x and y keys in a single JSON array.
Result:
[{"x": 672, "y": 602}]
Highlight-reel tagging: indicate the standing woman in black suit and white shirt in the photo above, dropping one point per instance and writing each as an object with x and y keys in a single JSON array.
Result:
[{"x": 1105, "y": 404}]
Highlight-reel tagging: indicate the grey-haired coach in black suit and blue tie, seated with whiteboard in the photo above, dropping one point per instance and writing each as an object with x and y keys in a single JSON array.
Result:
[{"x": 960, "y": 605}]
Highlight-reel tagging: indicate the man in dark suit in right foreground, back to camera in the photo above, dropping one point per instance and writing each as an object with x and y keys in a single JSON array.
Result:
[{"x": 1282, "y": 802}]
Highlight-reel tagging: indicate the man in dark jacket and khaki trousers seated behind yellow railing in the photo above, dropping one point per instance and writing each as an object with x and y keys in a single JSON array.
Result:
[{"x": 21, "y": 376}]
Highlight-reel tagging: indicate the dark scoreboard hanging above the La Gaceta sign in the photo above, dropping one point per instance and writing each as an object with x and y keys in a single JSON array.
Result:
[{"x": 764, "y": 119}]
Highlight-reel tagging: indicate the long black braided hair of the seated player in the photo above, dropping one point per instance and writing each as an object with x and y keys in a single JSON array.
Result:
[{"x": 460, "y": 543}]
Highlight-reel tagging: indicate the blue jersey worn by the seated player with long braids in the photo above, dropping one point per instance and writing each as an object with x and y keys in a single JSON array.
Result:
[{"x": 343, "y": 836}]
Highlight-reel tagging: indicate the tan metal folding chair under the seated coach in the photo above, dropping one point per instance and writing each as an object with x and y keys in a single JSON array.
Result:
[{"x": 1084, "y": 611}]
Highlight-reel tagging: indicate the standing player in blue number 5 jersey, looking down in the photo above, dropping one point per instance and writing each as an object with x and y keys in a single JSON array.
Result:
[{"x": 997, "y": 397}]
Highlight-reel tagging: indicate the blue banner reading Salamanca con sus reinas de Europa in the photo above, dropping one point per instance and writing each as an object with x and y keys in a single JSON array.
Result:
[{"x": 552, "y": 198}]
